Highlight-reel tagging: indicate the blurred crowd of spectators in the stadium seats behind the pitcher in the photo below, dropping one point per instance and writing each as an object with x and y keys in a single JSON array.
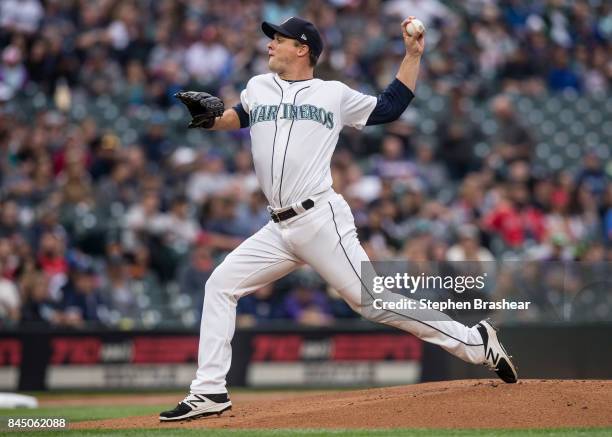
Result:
[{"x": 112, "y": 212}]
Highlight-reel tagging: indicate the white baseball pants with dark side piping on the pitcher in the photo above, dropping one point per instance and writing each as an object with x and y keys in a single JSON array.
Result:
[{"x": 325, "y": 238}]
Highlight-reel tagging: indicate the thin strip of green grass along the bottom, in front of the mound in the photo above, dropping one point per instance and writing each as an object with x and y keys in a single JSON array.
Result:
[{"x": 569, "y": 432}]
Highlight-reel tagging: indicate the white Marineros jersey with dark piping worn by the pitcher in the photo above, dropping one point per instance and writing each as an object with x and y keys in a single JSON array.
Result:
[{"x": 294, "y": 131}]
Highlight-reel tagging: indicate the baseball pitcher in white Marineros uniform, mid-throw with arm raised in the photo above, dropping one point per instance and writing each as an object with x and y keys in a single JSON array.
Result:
[{"x": 294, "y": 121}]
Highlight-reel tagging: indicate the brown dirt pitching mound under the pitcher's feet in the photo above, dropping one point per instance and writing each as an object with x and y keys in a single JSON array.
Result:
[{"x": 452, "y": 404}]
